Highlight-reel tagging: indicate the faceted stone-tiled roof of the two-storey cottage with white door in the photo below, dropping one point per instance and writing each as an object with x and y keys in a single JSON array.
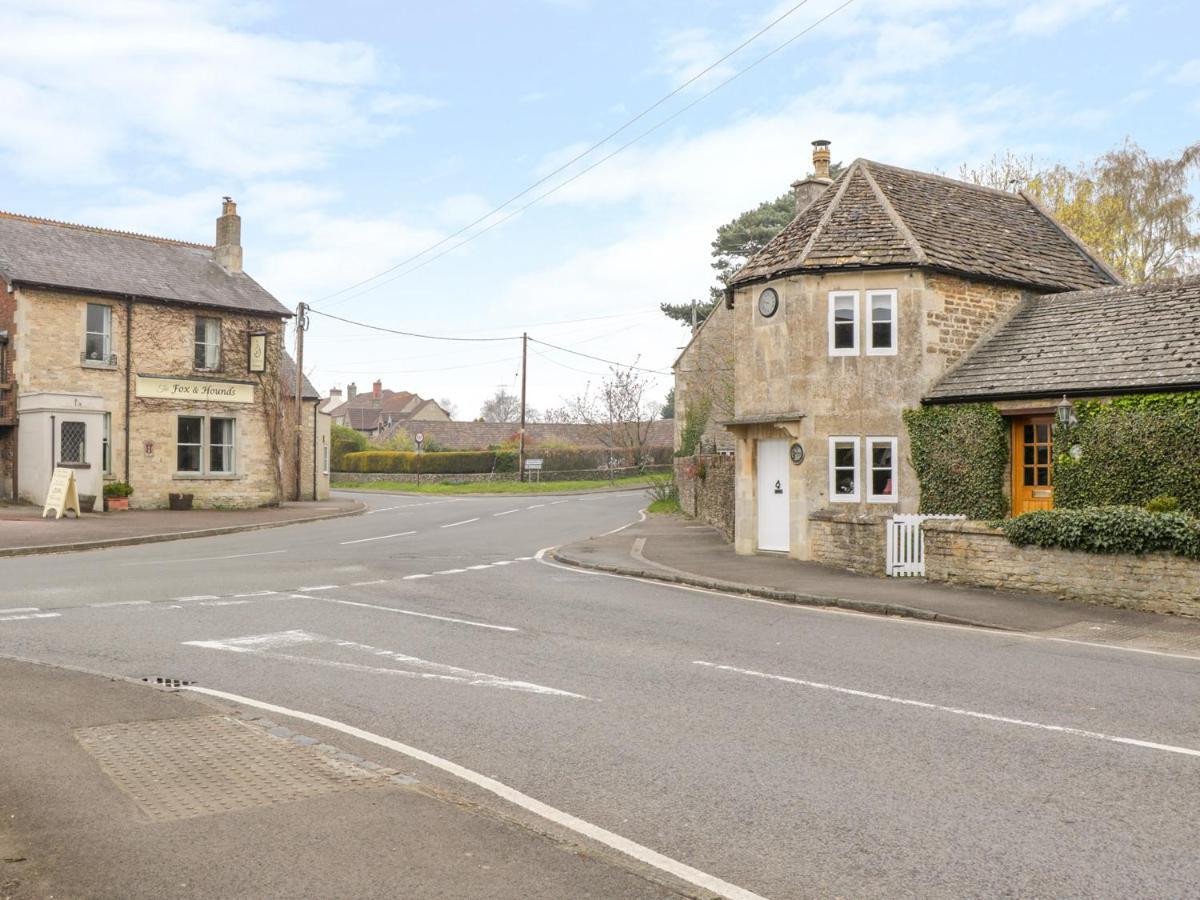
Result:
[{"x": 879, "y": 217}]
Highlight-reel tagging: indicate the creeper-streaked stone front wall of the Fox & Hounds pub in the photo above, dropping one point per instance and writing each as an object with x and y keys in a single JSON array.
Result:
[{"x": 51, "y": 328}]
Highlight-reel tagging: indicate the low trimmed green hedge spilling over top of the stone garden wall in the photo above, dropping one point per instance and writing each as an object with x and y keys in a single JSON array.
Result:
[{"x": 1108, "y": 530}]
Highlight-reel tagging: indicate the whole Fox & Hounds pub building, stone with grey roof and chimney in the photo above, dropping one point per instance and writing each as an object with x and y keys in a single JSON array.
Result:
[{"x": 154, "y": 362}]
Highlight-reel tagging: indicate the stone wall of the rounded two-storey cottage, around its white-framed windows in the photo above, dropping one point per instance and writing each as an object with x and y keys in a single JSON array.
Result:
[{"x": 784, "y": 365}]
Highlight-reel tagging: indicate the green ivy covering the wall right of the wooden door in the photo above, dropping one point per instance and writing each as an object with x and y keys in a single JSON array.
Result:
[{"x": 1131, "y": 451}]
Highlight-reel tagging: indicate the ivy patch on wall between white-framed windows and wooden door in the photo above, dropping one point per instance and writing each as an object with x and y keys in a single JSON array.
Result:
[{"x": 961, "y": 455}]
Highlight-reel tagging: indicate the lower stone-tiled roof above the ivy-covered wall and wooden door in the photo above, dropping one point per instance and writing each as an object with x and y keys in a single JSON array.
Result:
[{"x": 1114, "y": 340}]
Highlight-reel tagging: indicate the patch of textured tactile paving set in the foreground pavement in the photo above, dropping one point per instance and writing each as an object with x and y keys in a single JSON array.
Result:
[{"x": 182, "y": 769}]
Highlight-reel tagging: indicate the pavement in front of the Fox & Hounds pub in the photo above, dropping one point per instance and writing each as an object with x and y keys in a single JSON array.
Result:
[{"x": 23, "y": 531}]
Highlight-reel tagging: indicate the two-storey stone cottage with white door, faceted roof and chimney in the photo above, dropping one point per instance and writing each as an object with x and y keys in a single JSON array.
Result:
[{"x": 854, "y": 314}]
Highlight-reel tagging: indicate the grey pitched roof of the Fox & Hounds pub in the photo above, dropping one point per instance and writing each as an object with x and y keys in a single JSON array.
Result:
[{"x": 41, "y": 251}]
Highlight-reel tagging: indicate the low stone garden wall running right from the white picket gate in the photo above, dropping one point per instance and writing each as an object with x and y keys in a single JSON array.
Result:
[{"x": 973, "y": 554}]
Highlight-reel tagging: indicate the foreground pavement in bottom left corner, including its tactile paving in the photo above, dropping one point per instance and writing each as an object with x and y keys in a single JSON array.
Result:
[{"x": 100, "y": 797}]
